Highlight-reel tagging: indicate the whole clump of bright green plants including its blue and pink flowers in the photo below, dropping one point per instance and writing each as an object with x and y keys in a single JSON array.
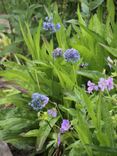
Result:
[{"x": 46, "y": 106}]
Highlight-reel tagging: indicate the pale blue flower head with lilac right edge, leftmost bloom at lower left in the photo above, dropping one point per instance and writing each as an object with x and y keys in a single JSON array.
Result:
[{"x": 39, "y": 101}]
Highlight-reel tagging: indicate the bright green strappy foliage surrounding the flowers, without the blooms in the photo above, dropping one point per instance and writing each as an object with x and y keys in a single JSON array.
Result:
[{"x": 92, "y": 117}]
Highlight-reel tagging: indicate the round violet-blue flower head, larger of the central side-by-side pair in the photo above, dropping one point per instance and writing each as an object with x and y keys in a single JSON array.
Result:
[{"x": 71, "y": 55}]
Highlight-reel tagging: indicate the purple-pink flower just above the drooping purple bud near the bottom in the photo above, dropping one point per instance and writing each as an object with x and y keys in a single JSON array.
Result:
[{"x": 65, "y": 126}]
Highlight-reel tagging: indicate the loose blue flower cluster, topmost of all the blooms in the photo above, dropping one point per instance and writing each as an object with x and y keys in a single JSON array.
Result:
[{"x": 50, "y": 26}]
